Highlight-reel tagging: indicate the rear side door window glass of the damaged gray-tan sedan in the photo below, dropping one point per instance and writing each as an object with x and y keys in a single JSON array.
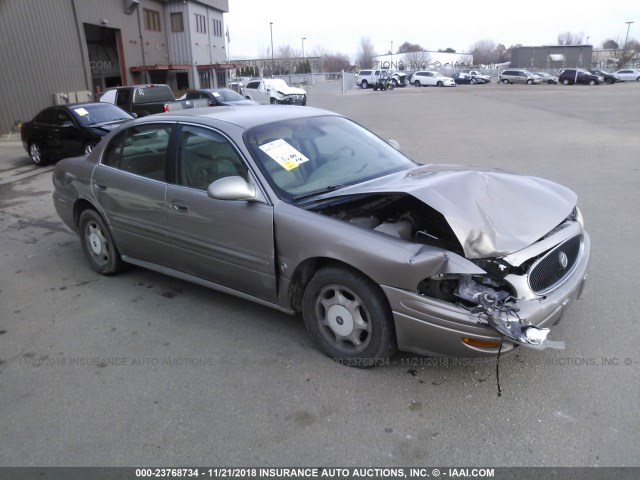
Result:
[{"x": 140, "y": 150}]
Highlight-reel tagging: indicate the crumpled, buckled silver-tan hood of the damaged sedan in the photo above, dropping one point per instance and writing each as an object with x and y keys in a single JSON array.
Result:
[{"x": 492, "y": 213}]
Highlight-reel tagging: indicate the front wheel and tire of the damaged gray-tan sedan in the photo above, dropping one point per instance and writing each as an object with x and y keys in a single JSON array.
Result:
[{"x": 349, "y": 317}]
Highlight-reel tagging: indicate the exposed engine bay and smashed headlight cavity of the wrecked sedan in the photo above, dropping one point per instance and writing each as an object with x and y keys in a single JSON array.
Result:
[{"x": 488, "y": 297}]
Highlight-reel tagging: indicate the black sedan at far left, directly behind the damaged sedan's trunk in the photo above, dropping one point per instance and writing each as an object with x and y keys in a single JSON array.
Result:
[{"x": 69, "y": 130}]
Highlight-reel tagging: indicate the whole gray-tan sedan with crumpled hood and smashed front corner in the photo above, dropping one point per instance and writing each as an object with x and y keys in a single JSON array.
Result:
[{"x": 305, "y": 211}]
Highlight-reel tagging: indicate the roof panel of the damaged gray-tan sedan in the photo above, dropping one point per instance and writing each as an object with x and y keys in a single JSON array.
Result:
[{"x": 244, "y": 117}]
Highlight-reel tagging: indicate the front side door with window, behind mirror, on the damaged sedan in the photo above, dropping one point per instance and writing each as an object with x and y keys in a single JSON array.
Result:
[{"x": 227, "y": 242}]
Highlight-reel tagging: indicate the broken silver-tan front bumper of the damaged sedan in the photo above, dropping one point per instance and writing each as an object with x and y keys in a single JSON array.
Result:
[{"x": 428, "y": 326}]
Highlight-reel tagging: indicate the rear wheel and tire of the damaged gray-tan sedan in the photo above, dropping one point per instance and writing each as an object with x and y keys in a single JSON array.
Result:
[{"x": 98, "y": 244}]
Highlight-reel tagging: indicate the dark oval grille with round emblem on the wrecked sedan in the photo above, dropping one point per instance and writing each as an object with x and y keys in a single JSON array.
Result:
[{"x": 552, "y": 268}]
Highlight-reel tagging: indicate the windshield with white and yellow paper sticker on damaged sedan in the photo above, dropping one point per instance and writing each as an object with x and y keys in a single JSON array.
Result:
[{"x": 308, "y": 156}]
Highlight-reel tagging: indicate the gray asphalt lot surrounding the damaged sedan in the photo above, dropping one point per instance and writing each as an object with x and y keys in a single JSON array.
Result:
[{"x": 142, "y": 369}]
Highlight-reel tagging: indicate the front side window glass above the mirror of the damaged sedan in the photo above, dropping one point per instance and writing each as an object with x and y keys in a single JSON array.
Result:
[{"x": 205, "y": 156}]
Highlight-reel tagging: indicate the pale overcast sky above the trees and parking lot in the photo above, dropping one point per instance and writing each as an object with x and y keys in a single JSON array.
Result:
[{"x": 338, "y": 25}]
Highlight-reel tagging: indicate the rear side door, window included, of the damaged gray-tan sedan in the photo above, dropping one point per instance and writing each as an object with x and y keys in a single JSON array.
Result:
[{"x": 129, "y": 185}]
